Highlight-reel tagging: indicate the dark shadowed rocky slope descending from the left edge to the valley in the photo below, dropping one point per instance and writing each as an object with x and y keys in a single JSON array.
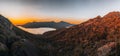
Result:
[{"x": 16, "y": 42}]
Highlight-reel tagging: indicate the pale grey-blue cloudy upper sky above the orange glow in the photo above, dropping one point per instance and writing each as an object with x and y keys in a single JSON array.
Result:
[{"x": 61, "y": 8}]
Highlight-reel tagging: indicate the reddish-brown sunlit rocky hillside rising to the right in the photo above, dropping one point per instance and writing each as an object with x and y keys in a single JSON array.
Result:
[{"x": 101, "y": 35}]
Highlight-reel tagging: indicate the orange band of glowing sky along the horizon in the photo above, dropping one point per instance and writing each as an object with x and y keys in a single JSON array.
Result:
[{"x": 23, "y": 20}]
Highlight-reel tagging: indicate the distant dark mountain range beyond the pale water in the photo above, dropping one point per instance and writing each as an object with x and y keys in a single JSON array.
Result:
[{"x": 52, "y": 24}]
